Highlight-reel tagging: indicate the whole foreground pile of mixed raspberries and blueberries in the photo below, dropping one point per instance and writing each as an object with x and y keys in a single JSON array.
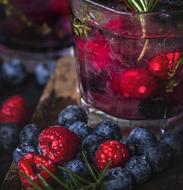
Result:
[{"x": 131, "y": 161}]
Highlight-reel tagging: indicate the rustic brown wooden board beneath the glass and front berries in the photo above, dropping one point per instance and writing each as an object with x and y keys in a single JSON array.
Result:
[{"x": 60, "y": 92}]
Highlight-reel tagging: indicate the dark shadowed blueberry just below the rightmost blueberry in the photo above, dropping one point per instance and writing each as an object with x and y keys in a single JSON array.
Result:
[{"x": 159, "y": 156}]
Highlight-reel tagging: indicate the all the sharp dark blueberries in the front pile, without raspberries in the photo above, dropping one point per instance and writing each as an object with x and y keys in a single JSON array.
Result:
[{"x": 149, "y": 155}]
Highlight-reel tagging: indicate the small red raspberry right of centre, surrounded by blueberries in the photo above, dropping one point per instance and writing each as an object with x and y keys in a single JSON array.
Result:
[{"x": 111, "y": 151}]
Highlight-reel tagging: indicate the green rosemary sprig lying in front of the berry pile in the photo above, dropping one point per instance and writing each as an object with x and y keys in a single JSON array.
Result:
[{"x": 75, "y": 182}]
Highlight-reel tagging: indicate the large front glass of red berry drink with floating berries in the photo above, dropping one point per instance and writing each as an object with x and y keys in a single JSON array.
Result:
[{"x": 130, "y": 64}]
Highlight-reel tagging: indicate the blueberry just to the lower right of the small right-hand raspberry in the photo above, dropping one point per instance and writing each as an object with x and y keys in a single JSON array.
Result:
[{"x": 140, "y": 168}]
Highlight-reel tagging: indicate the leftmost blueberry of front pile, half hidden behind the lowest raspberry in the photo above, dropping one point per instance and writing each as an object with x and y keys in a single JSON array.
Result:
[{"x": 20, "y": 151}]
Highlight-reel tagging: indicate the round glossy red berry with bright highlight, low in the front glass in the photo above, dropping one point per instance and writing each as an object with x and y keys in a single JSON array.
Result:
[{"x": 137, "y": 83}]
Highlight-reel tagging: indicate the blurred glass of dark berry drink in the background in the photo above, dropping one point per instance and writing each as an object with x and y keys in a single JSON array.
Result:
[{"x": 34, "y": 29}]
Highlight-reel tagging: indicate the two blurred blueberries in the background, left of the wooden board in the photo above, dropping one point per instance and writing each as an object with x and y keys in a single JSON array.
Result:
[{"x": 14, "y": 72}]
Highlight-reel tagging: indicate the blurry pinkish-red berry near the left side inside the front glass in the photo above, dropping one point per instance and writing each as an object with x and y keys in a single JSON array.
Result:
[{"x": 98, "y": 53}]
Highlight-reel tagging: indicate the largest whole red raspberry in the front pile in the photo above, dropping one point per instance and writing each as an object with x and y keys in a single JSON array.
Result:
[{"x": 58, "y": 144}]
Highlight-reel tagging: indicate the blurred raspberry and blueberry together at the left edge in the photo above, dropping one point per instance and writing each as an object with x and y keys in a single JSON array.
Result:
[{"x": 14, "y": 113}]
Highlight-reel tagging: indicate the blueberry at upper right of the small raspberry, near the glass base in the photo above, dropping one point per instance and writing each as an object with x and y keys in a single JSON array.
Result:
[{"x": 141, "y": 136}]
